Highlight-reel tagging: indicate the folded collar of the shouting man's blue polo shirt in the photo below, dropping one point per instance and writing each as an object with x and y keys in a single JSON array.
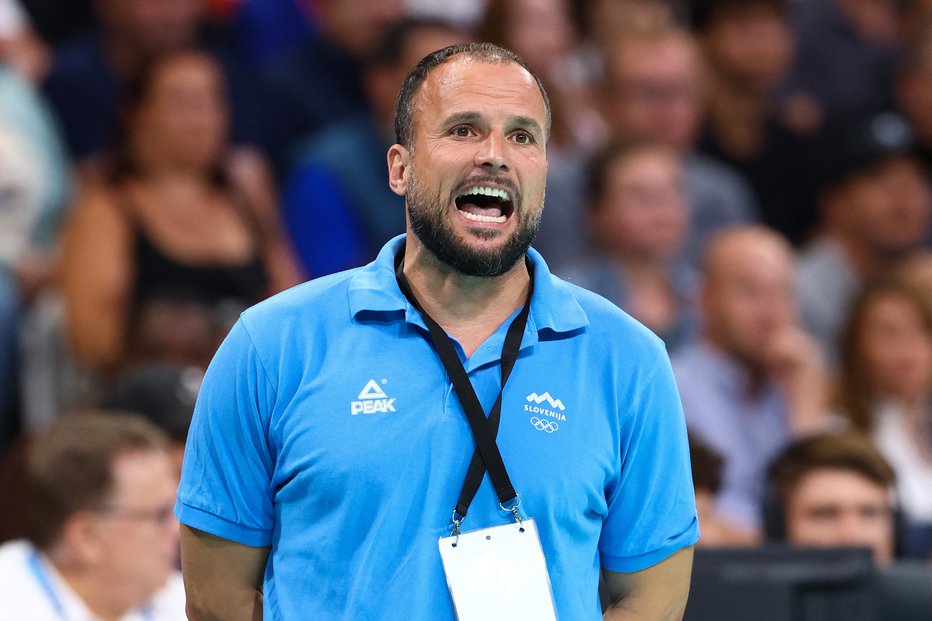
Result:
[{"x": 373, "y": 289}]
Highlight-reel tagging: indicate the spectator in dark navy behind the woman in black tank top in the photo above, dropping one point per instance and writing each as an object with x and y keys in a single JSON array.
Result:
[{"x": 89, "y": 72}]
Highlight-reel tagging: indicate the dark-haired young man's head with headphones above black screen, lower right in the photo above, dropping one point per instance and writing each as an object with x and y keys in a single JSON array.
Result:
[{"x": 833, "y": 490}]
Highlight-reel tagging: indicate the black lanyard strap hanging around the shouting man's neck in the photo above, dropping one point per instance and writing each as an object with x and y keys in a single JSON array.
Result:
[{"x": 486, "y": 456}]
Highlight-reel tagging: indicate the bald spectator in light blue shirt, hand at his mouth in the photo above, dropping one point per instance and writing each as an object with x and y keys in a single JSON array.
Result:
[{"x": 753, "y": 381}]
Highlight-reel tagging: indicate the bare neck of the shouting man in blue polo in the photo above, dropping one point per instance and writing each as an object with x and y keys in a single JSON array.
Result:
[{"x": 468, "y": 308}]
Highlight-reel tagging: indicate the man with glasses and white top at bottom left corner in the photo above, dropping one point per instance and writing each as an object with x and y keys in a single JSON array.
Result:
[{"x": 102, "y": 540}]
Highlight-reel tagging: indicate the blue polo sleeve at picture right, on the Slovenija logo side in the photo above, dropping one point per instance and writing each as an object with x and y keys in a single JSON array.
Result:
[{"x": 652, "y": 507}]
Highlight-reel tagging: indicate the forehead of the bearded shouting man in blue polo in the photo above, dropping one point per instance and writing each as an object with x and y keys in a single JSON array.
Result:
[{"x": 465, "y": 84}]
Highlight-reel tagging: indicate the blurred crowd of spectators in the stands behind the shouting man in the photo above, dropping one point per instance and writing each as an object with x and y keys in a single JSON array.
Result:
[{"x": 751, "y": 179}]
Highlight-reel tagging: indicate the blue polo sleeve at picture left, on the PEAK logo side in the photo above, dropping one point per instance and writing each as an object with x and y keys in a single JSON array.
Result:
[{"x": 226, "y": 485}]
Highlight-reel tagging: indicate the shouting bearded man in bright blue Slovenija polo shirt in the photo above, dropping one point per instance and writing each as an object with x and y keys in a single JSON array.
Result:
[{"x": 330, "y": 443}]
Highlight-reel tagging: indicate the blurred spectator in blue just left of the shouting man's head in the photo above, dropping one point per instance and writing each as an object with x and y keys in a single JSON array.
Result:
[{"x": 336, "y": 203}]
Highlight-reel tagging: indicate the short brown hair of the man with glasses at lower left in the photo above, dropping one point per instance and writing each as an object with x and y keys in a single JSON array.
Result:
[{"x": 69, "y": 466}]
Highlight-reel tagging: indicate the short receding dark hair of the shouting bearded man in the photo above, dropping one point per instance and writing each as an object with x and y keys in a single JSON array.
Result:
[{"x": 485, "y": 52}]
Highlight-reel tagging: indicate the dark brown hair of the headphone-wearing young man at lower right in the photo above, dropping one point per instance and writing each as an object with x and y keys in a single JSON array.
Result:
[{"x": 850, "y": 451}]
